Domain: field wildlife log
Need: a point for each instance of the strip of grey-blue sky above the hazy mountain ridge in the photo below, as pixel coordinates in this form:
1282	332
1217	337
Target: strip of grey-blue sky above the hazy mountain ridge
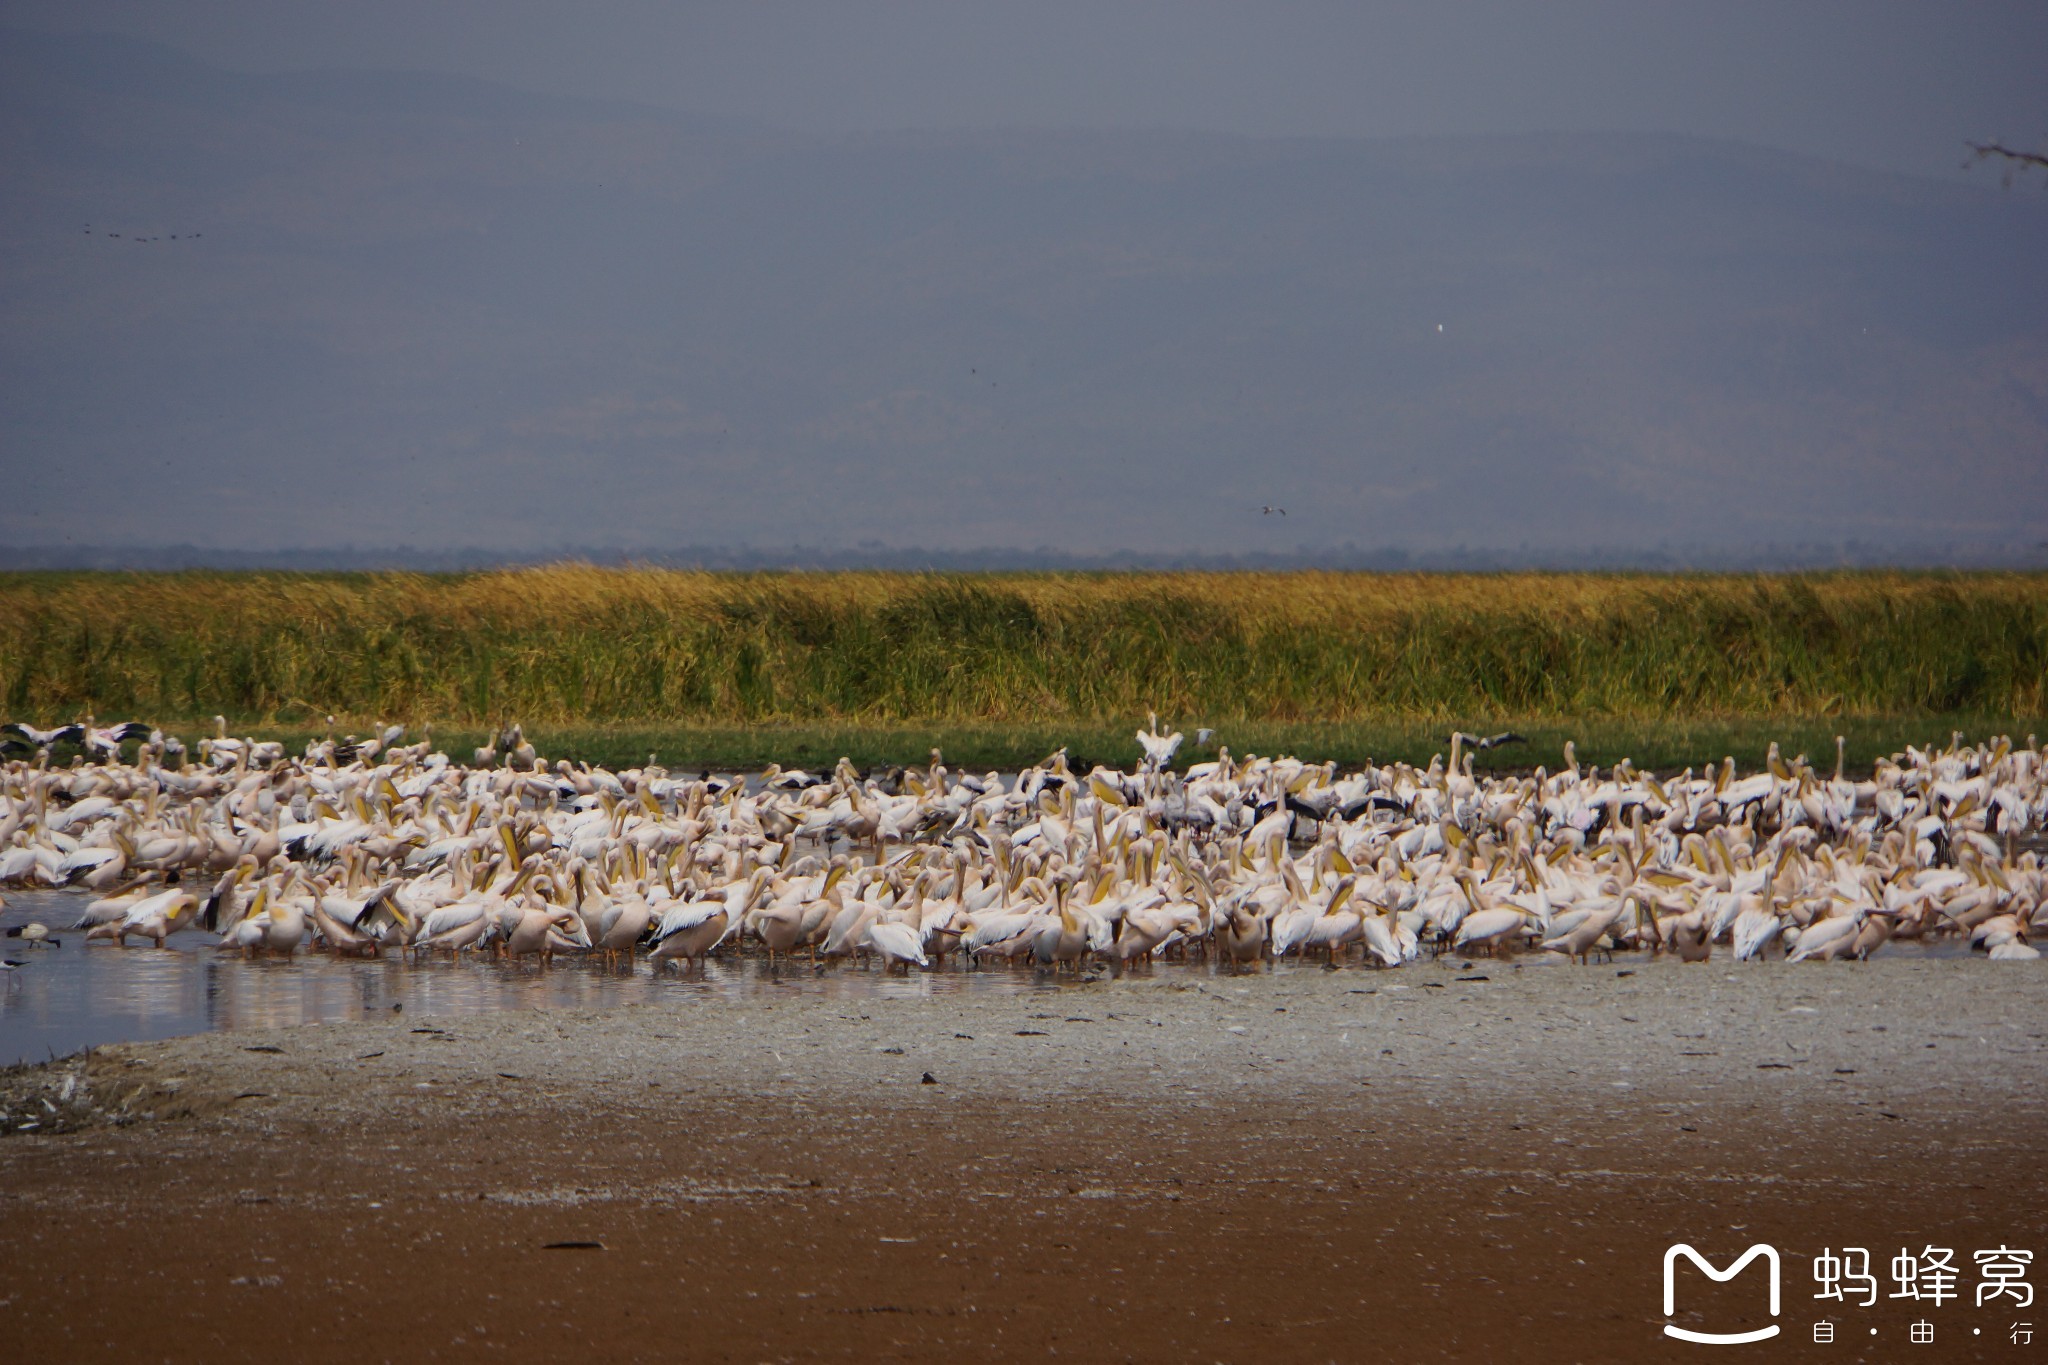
1879	83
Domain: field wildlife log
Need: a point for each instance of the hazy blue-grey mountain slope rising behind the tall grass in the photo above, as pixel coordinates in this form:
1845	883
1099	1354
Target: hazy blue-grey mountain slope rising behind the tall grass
355	308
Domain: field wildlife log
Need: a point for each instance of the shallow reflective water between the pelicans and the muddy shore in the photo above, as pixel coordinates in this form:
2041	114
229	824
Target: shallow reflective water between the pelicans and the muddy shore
81	998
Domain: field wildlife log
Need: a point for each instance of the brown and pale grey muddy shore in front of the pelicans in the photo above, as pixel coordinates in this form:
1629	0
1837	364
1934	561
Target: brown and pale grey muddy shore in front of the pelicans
1302	1165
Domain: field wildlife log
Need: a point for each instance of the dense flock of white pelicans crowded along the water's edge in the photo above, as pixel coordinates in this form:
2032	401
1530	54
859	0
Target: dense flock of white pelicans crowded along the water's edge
380	846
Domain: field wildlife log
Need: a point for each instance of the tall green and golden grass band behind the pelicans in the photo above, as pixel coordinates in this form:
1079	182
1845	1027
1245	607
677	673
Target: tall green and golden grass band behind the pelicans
1046	656
